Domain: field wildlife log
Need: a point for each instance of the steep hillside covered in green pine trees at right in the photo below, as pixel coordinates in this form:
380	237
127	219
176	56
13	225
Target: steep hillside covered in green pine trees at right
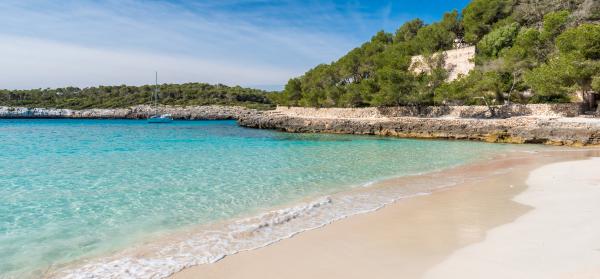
528	51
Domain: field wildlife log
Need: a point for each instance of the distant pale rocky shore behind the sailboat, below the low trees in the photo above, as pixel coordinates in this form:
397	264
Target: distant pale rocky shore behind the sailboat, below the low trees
136	112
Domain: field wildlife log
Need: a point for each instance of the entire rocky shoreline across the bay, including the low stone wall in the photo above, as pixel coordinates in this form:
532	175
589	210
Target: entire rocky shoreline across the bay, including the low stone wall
540	124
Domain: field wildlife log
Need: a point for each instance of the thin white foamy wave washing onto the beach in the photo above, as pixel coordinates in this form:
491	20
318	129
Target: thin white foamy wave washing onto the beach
209	244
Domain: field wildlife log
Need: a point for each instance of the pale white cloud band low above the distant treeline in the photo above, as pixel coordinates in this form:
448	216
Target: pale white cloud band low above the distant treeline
52	64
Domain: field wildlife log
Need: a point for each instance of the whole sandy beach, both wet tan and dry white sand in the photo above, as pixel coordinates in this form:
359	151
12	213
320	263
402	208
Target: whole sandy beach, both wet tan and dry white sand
534	216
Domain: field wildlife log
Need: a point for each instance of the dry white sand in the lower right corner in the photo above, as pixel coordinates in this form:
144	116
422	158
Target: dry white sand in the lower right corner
560	238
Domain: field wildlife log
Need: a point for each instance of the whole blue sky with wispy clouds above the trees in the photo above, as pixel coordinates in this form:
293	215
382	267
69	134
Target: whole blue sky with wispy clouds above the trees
254	43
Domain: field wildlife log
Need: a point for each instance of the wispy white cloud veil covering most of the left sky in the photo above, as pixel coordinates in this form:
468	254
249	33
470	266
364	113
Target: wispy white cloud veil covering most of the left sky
83	43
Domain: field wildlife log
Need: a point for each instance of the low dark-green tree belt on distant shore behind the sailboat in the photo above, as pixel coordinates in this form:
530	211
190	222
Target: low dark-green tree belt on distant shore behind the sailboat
188	94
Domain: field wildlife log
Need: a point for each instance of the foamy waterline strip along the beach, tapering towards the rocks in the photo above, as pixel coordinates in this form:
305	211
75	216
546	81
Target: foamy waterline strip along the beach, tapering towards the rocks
305	215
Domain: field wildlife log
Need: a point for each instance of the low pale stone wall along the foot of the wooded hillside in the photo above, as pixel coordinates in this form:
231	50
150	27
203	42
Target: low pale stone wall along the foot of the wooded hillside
538	110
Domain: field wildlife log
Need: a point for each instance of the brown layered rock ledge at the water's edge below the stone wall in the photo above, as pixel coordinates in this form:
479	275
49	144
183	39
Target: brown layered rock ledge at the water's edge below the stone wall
555	131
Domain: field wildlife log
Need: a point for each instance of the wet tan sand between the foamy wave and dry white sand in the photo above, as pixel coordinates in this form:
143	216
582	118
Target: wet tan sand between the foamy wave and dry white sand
417	229
